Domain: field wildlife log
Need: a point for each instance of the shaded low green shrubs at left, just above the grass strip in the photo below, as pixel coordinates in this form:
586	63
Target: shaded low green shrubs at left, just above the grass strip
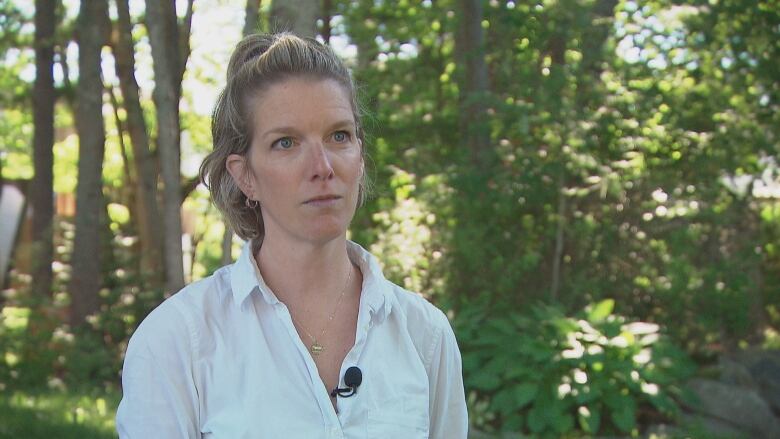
39	350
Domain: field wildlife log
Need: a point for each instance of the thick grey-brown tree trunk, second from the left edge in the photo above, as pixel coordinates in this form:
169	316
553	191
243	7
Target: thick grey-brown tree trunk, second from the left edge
86	259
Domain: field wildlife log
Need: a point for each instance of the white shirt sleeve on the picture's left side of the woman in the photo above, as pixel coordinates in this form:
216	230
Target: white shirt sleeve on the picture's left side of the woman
159	397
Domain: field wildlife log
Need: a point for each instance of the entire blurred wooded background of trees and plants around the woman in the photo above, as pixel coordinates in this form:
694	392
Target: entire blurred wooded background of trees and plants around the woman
589	188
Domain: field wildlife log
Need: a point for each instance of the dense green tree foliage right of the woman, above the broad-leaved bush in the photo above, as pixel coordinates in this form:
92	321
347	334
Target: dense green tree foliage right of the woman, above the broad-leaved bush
633	145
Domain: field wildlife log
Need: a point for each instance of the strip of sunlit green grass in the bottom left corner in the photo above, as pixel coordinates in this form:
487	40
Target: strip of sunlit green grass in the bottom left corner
58	414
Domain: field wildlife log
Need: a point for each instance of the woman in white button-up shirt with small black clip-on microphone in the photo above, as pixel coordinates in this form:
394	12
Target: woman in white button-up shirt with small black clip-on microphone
261	348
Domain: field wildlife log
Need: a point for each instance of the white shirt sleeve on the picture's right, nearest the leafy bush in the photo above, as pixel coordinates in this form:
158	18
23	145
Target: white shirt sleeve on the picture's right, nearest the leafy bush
449	417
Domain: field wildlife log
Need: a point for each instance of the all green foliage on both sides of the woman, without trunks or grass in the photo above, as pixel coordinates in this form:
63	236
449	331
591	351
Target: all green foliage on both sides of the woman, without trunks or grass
634	149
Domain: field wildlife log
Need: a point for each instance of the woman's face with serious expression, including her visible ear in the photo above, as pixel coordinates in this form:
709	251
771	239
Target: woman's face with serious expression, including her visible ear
305	163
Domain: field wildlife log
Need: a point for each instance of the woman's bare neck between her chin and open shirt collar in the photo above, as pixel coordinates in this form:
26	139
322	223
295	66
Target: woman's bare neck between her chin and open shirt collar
303	272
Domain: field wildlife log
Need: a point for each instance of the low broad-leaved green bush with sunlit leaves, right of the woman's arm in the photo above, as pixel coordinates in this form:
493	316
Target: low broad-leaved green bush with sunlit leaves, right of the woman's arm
545	373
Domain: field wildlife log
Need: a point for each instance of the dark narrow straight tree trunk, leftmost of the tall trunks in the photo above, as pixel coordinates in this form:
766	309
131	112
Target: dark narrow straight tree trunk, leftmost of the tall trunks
42	190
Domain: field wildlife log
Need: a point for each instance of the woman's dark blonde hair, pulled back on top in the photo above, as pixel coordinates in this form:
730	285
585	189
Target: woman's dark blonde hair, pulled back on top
258	62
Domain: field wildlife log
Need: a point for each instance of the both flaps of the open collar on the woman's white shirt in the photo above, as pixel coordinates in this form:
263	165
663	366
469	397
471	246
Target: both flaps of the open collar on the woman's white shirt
245	278
